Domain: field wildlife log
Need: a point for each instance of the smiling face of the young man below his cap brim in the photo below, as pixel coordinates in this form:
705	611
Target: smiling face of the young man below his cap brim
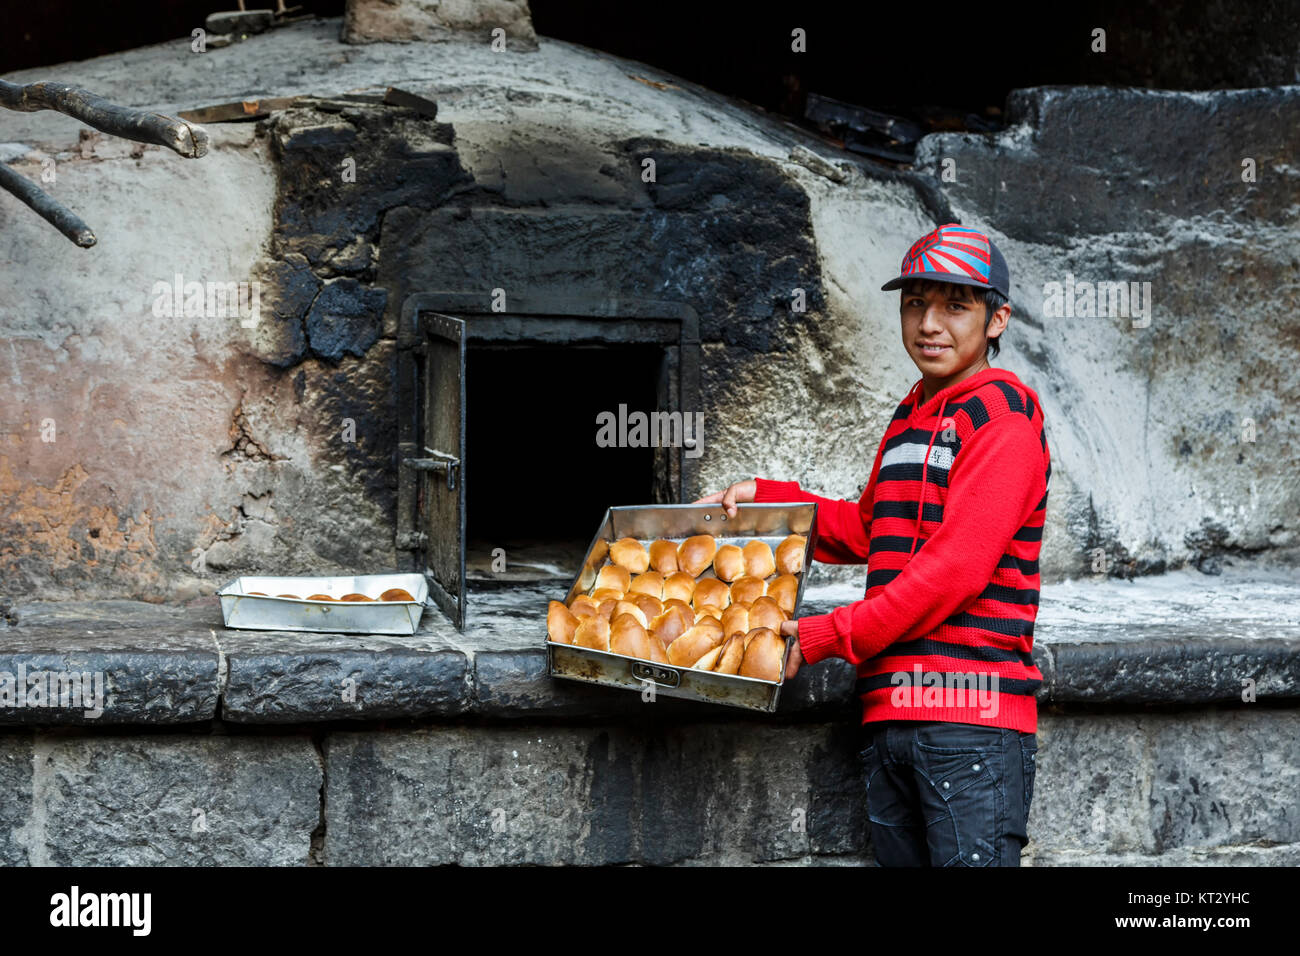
943	330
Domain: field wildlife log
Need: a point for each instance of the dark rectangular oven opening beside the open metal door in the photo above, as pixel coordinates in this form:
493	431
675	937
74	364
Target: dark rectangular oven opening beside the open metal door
536	482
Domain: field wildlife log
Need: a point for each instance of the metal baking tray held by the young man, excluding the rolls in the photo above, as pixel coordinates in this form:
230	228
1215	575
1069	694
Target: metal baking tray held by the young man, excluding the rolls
772	522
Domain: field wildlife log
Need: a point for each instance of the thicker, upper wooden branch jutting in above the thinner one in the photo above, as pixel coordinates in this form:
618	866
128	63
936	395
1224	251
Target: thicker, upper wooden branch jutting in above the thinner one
138	126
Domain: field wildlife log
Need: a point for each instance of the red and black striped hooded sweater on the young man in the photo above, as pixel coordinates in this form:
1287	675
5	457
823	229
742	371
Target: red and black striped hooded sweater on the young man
947	625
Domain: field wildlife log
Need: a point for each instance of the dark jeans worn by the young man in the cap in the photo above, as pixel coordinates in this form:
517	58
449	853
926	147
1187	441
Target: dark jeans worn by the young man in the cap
947	794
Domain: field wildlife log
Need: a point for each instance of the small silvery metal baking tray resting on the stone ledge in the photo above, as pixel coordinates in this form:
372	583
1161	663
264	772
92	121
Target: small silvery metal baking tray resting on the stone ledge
257	613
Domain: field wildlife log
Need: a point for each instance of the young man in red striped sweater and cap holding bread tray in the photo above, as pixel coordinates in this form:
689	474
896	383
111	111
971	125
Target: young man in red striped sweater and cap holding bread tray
950	526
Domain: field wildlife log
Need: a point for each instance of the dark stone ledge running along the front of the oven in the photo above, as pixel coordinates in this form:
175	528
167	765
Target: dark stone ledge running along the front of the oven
167	665
